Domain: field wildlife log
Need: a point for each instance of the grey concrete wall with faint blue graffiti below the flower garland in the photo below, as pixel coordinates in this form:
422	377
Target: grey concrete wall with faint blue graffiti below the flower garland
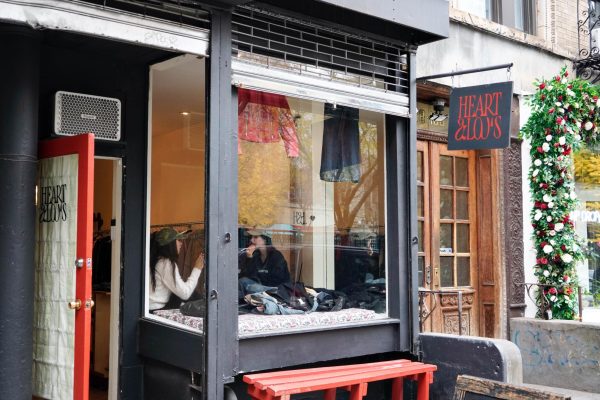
559	353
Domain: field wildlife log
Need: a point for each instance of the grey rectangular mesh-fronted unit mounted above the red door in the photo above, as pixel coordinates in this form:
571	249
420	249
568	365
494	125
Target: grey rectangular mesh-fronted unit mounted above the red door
77	113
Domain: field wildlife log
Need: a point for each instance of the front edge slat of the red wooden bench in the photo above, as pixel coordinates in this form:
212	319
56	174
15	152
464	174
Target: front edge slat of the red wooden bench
316	383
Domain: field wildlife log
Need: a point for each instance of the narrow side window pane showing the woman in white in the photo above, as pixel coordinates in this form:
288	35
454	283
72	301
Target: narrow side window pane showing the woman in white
176	189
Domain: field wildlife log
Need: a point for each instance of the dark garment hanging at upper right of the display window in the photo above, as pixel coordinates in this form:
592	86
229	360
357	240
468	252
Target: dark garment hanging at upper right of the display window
340	157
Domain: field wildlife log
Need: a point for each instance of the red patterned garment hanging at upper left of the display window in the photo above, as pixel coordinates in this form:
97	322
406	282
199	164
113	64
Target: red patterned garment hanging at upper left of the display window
266	118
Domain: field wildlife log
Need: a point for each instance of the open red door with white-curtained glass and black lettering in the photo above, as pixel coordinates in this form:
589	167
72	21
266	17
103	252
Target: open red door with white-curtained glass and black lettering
63	294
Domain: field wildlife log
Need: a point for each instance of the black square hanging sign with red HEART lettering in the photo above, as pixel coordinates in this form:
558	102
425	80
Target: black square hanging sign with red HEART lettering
480	117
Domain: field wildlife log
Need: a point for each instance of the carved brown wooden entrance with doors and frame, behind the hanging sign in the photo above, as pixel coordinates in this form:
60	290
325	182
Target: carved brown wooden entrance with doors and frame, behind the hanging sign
459	225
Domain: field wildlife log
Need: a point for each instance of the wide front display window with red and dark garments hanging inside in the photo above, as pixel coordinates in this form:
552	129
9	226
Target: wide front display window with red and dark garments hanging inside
311	201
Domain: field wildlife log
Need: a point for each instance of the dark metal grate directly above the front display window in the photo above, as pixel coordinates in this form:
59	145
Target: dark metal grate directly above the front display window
265	38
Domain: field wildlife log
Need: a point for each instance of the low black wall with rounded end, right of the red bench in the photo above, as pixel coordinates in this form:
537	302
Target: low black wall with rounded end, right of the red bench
496	359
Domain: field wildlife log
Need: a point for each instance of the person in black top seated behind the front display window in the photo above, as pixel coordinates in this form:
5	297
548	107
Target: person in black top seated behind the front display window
261	262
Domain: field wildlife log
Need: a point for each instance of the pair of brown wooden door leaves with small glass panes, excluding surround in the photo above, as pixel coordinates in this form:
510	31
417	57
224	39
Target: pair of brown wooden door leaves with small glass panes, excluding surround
446	215
